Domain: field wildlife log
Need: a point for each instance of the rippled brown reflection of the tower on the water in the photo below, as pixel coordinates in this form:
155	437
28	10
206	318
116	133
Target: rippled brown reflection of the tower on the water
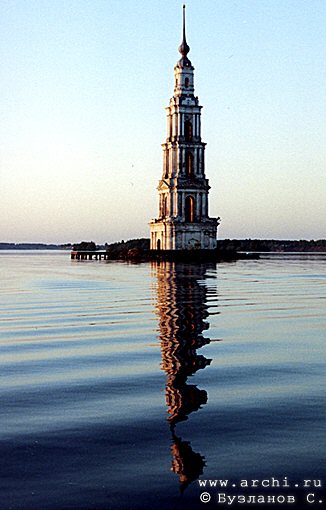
182	311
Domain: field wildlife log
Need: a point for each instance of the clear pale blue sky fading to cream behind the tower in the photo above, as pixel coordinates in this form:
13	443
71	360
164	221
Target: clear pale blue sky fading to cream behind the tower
83	88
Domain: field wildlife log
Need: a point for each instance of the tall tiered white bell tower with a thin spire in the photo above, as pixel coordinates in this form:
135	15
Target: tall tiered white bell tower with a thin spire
183	222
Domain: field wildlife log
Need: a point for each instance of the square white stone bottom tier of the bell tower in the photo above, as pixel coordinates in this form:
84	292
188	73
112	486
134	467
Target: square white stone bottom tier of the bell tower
166	235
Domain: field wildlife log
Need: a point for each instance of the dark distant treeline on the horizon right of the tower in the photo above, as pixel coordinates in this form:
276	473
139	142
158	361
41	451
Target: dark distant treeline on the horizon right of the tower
271	245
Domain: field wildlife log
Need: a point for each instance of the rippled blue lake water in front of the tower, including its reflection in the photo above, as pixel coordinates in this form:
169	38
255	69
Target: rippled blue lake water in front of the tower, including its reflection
121	385
